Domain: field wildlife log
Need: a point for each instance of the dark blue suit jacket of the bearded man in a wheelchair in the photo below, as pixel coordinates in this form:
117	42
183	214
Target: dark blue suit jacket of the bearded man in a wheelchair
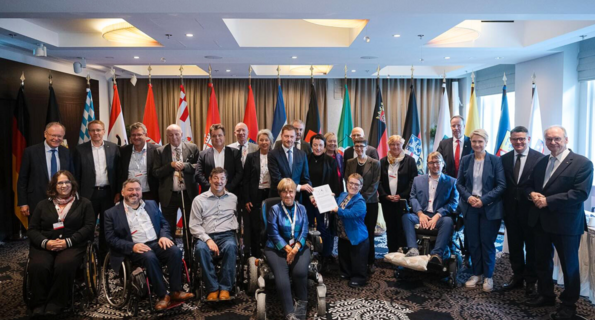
118	234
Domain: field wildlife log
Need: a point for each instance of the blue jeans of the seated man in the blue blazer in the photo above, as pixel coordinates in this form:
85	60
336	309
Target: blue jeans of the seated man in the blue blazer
444	226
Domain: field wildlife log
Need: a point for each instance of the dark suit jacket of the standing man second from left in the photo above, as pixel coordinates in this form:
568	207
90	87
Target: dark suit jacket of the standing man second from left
84	167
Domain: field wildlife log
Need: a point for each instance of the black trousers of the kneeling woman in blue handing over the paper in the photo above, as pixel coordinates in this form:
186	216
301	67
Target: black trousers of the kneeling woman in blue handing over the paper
352	260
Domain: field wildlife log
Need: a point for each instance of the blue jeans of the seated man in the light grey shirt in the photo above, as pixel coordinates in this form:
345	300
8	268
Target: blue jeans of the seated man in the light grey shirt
228	251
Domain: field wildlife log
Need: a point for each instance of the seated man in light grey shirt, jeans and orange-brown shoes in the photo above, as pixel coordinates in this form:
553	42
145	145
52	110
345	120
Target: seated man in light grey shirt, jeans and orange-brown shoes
214	223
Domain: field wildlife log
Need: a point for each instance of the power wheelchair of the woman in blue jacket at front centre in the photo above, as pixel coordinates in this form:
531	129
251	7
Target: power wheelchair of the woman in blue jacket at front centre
260	274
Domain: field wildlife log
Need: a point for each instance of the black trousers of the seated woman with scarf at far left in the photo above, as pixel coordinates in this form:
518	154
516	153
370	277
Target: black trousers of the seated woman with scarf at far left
51	275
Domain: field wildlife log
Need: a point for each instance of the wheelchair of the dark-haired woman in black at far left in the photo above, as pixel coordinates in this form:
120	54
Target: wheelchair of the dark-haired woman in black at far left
85	287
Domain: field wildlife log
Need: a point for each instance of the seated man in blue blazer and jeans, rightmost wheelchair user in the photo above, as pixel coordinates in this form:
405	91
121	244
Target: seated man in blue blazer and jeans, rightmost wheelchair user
433	198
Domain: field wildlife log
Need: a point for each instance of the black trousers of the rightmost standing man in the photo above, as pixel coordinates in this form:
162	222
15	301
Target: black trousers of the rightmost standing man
567	247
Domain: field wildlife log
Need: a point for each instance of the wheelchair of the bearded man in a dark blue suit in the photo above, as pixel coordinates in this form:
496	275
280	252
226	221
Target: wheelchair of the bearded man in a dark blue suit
127	288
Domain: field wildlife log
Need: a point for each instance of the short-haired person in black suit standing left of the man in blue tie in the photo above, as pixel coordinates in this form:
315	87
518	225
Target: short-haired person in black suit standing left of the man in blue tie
257	185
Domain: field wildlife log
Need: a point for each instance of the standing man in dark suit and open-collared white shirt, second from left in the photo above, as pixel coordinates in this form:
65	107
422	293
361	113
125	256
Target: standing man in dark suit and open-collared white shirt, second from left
96	166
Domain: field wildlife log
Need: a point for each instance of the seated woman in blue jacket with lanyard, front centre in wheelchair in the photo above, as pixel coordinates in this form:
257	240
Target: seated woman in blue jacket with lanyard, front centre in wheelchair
287	229
